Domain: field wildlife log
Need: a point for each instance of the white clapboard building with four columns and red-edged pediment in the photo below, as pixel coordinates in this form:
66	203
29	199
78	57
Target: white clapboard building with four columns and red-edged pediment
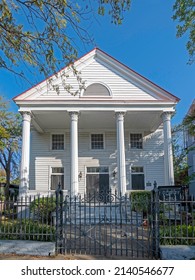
115	133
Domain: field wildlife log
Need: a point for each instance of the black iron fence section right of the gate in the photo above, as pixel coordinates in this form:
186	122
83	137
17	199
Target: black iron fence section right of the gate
176	217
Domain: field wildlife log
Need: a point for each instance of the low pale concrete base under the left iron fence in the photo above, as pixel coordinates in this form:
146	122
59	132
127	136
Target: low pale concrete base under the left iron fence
26	247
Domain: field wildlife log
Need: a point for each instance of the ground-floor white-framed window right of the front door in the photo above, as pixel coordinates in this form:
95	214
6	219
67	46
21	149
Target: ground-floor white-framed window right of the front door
137	178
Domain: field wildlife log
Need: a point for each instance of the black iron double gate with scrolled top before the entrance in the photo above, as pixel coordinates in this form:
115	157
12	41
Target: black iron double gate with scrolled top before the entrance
102	223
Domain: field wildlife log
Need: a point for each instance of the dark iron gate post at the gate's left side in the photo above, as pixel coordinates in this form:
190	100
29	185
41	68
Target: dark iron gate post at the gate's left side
59	220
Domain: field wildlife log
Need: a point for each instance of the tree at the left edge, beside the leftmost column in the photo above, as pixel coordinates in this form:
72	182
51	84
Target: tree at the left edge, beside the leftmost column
10	142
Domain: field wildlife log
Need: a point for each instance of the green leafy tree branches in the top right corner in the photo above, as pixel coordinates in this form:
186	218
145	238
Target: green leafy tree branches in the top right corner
184	13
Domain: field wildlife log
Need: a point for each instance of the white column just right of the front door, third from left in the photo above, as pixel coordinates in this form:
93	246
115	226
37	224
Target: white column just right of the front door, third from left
121	167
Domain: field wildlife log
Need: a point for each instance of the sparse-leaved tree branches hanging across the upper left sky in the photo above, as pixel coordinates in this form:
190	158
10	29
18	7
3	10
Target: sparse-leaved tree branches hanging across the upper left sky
44	34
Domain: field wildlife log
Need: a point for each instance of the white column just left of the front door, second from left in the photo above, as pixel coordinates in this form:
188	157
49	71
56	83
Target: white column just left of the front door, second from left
74	153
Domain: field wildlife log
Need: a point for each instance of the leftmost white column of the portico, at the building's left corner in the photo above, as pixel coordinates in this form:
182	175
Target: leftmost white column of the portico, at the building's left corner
25	157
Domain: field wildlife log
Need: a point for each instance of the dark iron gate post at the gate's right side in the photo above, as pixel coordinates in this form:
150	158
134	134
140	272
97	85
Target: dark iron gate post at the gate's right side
155	222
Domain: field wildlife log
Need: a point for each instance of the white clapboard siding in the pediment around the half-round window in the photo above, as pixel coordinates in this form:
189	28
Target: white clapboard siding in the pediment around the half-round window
120	87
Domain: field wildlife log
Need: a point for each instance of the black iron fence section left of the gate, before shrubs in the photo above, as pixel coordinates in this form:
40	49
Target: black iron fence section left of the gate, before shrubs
27	218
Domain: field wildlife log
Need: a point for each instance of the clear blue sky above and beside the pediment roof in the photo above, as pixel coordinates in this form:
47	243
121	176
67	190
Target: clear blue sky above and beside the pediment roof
145	42
